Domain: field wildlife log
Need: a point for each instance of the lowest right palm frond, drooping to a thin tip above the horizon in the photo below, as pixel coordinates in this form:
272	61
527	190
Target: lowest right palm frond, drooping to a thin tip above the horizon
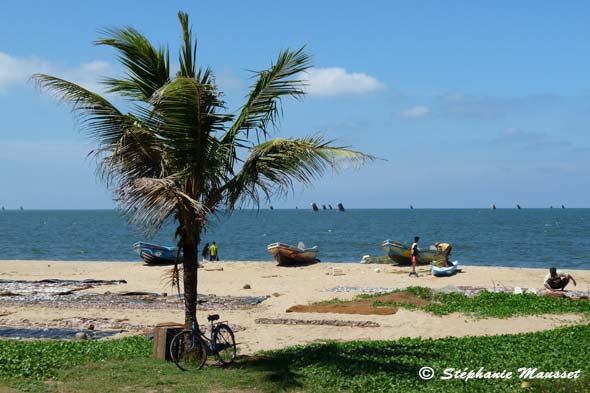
274	166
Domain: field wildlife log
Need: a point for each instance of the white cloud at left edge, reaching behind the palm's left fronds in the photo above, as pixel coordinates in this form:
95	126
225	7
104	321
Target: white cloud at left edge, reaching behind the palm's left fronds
16	71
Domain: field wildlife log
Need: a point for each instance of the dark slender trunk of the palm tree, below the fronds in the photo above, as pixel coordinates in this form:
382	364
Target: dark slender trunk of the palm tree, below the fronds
190	274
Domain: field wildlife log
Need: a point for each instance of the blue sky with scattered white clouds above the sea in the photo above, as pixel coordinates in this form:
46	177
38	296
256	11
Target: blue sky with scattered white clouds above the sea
468	103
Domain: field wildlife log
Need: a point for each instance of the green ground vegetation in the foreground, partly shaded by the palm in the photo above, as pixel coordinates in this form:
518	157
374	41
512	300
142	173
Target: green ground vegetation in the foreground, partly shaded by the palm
382	366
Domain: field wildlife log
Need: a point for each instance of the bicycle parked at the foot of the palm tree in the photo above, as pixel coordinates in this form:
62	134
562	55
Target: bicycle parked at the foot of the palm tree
189	348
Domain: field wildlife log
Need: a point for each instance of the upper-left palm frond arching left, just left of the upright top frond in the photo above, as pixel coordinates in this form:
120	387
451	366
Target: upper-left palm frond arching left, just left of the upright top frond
148	68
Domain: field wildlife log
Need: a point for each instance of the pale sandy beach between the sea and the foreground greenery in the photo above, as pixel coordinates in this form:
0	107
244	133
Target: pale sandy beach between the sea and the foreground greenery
283	287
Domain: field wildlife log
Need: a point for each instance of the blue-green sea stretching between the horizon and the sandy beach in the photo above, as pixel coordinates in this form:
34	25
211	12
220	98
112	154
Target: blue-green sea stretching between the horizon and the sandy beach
503	237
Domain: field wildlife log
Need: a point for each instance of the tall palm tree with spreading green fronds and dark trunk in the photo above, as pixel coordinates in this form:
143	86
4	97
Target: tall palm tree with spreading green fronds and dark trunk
177	153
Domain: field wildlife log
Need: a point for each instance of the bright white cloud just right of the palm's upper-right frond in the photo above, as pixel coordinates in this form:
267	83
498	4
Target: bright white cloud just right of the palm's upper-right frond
336	81
